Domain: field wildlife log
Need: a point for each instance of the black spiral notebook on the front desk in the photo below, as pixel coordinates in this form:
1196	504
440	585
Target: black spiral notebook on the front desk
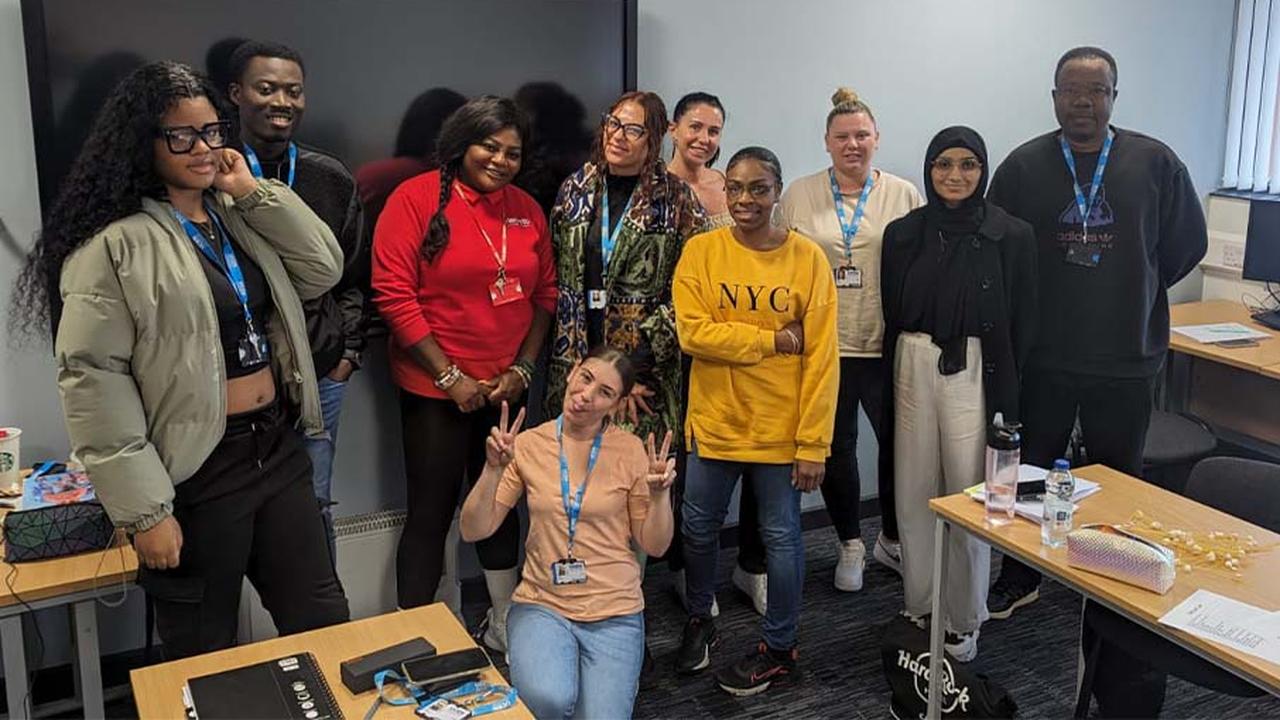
286	687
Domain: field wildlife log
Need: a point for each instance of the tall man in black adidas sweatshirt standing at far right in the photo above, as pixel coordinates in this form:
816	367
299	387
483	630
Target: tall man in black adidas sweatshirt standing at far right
1118	222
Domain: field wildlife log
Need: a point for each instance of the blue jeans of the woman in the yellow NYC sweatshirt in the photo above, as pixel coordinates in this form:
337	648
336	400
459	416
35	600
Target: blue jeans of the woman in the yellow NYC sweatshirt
708	489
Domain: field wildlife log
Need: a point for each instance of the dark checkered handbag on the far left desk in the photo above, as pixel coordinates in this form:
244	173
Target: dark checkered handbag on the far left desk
56	531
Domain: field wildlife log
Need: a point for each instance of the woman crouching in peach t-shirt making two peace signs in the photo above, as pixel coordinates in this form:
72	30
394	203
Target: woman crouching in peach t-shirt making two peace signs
577	621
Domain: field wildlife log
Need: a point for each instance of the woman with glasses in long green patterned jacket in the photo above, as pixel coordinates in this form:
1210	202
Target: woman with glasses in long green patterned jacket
618	230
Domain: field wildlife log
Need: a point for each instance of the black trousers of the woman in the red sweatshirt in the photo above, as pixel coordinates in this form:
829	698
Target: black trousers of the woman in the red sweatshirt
444	448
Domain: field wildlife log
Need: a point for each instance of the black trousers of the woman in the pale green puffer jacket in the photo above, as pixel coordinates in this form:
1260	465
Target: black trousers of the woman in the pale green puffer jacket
249	512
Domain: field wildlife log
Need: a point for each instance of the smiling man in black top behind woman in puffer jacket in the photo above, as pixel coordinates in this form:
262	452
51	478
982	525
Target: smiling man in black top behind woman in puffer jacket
267	86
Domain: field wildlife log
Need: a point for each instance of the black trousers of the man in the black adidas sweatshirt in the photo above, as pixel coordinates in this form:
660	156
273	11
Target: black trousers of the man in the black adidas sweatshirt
1114	418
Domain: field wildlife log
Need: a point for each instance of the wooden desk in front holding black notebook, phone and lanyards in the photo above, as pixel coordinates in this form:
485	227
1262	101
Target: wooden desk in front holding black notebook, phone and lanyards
158	690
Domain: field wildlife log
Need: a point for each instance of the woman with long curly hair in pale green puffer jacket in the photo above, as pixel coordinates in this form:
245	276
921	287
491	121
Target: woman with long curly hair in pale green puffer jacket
173	282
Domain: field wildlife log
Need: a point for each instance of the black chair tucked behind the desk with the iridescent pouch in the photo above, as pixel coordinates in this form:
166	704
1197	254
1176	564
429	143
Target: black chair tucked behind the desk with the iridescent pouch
1246	489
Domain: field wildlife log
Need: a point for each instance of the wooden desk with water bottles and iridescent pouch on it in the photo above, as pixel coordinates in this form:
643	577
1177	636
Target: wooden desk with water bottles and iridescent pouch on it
1119	498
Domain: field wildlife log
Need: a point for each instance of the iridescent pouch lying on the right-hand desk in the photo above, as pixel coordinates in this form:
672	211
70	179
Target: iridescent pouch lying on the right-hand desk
1123	557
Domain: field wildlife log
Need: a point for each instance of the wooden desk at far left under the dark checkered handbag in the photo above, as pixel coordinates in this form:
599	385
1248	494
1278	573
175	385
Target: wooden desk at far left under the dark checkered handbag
77	582
